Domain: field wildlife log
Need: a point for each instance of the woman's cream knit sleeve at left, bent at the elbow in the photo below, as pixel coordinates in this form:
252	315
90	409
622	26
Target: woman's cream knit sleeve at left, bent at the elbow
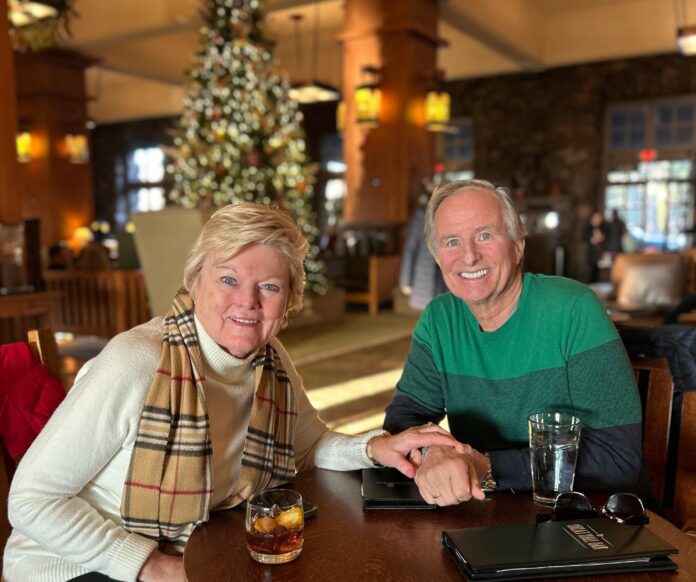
92	424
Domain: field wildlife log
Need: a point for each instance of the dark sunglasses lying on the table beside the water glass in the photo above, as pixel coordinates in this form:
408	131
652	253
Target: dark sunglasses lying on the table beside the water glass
625	508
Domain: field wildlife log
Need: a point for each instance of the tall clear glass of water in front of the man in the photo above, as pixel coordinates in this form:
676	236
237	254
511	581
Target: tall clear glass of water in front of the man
553	439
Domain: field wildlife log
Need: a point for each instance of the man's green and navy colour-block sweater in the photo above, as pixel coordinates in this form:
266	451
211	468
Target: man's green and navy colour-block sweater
557	352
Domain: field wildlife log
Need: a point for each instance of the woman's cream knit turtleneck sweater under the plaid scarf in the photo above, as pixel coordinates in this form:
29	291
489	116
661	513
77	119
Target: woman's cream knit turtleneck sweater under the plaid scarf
65	498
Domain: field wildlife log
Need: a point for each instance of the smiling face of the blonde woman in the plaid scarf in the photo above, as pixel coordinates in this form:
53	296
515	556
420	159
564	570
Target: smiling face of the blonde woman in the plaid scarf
241	302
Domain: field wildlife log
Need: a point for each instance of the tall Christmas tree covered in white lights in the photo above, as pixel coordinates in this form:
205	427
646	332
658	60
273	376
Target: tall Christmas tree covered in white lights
240	137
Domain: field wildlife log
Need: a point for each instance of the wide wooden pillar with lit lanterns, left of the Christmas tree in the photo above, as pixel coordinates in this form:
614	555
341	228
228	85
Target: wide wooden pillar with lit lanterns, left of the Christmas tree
52	103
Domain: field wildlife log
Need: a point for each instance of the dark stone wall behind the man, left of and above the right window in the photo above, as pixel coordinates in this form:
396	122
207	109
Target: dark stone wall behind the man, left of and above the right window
541	134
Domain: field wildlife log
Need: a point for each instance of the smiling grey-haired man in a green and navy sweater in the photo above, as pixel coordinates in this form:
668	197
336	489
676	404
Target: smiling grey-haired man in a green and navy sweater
503	345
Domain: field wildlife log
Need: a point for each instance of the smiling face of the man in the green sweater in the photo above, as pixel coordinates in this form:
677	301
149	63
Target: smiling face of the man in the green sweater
479	260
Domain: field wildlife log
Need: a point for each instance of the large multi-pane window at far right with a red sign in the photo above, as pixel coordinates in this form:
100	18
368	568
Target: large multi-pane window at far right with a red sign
649	170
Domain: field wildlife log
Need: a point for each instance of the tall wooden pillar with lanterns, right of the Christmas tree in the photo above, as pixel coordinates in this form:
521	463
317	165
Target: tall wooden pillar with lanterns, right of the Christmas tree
385	165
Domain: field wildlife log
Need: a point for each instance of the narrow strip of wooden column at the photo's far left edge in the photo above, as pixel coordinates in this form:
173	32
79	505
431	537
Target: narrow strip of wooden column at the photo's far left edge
10	204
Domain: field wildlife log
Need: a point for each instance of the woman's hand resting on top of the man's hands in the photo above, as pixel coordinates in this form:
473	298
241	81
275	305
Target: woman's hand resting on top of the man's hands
400	450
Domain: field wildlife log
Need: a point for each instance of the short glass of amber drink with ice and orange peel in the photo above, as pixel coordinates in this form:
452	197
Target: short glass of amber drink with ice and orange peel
275	526
